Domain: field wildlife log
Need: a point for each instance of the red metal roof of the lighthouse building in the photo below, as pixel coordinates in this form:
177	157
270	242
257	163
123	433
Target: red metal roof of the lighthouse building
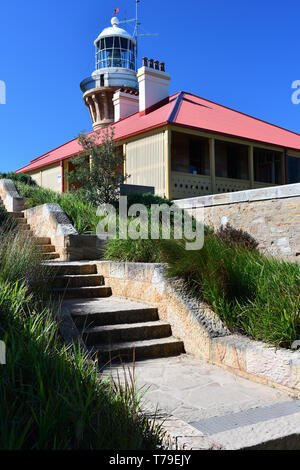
187	110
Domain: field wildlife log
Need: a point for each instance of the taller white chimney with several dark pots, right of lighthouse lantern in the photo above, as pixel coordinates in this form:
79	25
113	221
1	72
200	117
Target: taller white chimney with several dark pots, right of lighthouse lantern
154	83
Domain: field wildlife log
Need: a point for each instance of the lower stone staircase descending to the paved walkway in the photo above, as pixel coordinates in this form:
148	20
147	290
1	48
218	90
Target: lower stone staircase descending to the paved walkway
112	328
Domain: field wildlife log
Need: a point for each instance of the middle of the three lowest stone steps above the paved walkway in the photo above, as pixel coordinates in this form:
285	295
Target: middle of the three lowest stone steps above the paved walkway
126	332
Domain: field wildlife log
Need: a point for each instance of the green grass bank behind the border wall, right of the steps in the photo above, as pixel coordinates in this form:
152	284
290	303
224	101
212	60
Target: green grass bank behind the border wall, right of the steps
253	294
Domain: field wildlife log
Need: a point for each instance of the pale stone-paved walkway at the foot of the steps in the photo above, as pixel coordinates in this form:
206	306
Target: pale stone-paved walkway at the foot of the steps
228	410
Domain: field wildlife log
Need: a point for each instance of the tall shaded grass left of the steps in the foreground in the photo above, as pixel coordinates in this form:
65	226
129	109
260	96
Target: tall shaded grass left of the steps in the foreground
50	398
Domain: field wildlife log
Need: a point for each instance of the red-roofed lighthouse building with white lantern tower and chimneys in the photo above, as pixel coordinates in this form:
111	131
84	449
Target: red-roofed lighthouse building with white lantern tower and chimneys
182	145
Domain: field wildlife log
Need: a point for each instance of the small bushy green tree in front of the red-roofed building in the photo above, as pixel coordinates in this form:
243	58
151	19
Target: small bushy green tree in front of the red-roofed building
98	171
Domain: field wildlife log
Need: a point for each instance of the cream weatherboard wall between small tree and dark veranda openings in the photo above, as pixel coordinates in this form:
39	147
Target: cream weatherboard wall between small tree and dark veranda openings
146	162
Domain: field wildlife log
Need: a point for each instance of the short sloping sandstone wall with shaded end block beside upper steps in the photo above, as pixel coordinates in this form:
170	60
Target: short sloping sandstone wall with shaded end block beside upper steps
49	220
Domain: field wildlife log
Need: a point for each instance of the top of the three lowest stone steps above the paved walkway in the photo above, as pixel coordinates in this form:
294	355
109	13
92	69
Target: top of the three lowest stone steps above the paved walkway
114	317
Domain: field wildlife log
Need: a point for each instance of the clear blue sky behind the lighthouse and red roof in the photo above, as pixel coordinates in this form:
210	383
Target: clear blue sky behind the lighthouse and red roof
243	54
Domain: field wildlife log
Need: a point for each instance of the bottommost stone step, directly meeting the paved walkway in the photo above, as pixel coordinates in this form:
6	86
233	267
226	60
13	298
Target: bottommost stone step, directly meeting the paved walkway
163	347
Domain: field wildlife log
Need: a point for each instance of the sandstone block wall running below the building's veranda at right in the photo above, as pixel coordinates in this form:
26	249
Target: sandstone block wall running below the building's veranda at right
271	215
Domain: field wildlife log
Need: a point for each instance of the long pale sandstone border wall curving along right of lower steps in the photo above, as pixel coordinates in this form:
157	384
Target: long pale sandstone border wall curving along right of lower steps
203	333
